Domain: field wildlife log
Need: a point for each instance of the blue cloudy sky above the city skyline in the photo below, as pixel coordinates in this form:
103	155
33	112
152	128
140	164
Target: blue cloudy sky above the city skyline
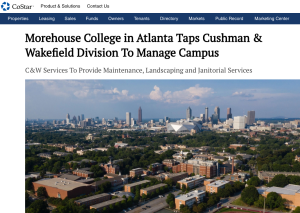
53	99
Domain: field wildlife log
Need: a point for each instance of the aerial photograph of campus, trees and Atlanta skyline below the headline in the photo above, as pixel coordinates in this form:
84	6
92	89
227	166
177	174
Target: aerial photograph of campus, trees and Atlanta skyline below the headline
162	146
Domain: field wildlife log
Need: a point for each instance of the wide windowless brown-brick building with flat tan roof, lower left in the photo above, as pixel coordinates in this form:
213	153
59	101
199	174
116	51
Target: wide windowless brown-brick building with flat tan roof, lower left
62	188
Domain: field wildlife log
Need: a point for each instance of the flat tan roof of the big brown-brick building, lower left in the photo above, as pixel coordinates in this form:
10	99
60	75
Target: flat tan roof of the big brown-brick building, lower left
60	183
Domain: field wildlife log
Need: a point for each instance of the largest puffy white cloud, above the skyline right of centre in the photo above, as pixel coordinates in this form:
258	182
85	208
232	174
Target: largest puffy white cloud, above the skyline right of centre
192	95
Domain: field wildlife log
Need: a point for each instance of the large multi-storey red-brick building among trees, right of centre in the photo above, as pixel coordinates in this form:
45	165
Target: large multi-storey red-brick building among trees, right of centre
198	167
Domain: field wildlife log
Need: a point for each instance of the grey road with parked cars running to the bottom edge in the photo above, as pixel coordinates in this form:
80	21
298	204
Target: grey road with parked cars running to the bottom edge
156	204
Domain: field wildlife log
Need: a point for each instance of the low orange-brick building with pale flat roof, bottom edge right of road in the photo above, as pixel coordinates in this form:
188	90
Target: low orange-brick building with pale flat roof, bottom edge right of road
189	199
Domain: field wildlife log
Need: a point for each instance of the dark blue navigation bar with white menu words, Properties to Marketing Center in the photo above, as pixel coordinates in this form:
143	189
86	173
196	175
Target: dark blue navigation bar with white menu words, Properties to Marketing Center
150	18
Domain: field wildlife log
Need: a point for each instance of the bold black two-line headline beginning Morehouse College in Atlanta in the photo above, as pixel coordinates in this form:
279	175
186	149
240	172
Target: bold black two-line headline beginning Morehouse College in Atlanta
128	52
